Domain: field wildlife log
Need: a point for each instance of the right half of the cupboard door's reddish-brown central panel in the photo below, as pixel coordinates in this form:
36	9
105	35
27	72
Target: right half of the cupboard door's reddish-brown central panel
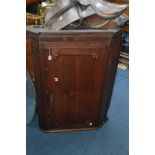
90	82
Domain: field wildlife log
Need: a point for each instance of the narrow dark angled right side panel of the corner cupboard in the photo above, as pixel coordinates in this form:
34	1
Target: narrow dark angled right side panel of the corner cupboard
113	62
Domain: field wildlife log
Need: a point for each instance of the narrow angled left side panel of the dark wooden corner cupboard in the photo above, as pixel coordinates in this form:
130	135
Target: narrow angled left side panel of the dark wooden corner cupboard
39	81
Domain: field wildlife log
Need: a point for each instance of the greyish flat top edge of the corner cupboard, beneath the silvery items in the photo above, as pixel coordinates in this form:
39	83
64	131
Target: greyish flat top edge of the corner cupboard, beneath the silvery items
46	31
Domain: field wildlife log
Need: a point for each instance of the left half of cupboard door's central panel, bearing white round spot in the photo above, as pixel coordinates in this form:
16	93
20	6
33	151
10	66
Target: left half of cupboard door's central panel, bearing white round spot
60	83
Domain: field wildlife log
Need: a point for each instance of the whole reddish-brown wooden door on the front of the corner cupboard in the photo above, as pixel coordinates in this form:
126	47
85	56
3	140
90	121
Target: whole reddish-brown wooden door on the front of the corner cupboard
75	83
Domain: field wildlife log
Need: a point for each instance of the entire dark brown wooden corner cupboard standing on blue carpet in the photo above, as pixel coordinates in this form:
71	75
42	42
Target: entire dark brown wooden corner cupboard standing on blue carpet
74	72
